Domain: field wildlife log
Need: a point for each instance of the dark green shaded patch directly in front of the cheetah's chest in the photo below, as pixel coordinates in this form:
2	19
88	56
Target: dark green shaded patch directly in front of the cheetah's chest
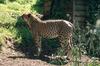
26	46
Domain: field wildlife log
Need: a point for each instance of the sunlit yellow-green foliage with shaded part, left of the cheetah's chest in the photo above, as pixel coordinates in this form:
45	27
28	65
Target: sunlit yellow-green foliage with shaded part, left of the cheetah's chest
11	22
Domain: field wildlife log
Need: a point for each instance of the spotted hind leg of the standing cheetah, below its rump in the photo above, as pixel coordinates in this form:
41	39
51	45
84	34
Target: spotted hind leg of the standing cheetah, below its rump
66	46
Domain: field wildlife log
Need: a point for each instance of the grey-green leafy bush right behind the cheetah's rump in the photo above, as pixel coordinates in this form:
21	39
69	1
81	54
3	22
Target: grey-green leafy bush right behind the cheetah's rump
87	39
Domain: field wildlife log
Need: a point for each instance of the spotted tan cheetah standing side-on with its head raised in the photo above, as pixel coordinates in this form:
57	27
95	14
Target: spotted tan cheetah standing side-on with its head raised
50	29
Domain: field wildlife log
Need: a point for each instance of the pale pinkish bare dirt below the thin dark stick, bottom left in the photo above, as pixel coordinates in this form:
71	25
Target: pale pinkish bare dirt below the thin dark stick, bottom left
6	61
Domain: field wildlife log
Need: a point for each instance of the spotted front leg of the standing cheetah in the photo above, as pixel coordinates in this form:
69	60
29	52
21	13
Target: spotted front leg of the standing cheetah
37	40
